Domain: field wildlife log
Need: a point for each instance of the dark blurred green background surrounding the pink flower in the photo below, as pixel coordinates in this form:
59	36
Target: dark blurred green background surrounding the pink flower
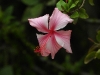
18	40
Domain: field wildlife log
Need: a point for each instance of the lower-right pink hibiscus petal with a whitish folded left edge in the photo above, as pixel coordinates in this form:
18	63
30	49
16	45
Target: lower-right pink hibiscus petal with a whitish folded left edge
63	39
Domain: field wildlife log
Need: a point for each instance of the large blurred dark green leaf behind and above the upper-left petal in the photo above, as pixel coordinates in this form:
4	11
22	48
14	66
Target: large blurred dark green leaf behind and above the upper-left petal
32	12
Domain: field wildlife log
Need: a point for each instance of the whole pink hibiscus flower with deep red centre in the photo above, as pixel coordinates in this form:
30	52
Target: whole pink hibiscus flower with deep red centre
53	40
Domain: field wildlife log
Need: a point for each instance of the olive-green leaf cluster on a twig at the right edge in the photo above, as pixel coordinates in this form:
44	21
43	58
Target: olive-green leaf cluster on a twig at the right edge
94	51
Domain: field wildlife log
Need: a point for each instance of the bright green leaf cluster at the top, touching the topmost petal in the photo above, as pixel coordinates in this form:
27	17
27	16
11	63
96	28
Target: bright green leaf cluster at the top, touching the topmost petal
72	7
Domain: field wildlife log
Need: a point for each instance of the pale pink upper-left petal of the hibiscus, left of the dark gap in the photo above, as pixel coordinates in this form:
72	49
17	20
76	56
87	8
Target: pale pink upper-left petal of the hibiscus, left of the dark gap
41	23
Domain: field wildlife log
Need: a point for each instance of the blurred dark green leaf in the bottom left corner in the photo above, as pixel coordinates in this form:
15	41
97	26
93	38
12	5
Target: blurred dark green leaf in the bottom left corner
7	70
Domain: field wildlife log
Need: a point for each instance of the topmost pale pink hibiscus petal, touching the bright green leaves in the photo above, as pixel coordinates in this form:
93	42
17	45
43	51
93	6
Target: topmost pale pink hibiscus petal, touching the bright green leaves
58	20
